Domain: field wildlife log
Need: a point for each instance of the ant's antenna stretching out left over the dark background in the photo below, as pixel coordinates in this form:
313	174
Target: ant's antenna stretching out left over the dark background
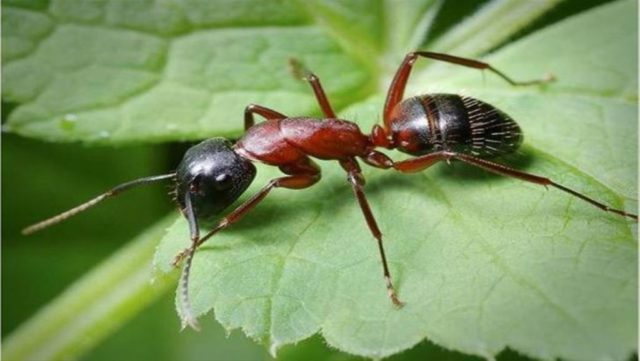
84	206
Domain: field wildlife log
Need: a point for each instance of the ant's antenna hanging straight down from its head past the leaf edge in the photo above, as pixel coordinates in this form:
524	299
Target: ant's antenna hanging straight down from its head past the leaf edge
186	313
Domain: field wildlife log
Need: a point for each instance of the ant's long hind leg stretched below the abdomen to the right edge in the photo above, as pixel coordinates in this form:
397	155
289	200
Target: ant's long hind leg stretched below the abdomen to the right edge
422	162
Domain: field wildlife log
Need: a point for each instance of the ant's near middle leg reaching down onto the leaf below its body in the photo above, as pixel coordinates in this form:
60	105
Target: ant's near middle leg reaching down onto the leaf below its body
356	179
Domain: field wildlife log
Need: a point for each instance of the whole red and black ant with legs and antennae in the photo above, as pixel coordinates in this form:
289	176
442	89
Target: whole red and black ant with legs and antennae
431	127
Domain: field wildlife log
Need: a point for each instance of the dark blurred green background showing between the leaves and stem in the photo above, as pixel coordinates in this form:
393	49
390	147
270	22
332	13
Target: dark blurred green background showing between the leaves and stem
40	179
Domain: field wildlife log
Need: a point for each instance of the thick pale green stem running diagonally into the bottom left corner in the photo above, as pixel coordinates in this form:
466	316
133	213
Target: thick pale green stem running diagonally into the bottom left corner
96	305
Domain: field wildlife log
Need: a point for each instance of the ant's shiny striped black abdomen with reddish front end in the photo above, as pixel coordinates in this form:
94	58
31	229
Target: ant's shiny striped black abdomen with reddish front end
436	122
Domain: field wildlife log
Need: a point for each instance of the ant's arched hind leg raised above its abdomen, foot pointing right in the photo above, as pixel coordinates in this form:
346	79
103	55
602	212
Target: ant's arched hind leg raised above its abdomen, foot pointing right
399	82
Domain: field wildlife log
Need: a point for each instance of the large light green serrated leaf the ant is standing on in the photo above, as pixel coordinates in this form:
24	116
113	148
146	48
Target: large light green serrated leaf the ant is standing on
482	262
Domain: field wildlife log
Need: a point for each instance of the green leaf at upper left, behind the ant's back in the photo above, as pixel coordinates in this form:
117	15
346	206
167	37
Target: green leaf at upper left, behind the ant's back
181	71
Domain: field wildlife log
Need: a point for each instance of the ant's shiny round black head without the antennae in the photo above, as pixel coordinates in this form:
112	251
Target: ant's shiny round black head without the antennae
214	175
